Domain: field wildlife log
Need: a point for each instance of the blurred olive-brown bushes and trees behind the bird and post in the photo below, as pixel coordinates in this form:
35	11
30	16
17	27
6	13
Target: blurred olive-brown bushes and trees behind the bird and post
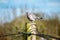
50	26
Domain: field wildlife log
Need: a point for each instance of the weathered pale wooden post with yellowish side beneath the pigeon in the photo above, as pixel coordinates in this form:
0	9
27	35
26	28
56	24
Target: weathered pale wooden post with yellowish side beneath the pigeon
32	29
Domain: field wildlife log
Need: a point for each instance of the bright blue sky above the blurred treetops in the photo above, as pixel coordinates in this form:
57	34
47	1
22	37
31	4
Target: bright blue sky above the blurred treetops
46	6
